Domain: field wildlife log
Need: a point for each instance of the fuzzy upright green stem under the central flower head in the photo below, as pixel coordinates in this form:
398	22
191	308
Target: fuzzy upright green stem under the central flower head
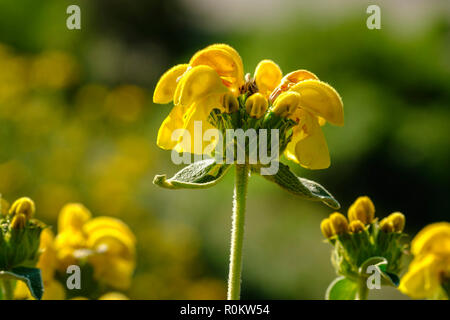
237	232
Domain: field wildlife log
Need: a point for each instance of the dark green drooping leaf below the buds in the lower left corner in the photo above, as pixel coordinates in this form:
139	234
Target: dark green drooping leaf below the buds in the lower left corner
31	276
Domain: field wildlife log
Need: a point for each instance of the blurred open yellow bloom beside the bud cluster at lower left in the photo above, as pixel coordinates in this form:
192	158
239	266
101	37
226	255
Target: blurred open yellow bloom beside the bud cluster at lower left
105	243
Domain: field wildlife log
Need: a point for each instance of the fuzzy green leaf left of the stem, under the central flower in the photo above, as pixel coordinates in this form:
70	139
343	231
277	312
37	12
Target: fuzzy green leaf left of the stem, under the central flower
201	174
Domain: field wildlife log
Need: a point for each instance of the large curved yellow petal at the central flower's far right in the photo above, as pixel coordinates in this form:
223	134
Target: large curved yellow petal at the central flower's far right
321	100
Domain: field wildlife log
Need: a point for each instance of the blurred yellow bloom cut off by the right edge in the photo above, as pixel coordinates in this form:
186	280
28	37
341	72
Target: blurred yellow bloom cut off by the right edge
430	268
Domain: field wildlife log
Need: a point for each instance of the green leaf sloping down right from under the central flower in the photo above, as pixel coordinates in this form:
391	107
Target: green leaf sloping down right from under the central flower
301	187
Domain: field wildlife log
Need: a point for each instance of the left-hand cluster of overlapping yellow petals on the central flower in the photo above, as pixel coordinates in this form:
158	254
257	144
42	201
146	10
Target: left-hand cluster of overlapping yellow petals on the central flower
196	89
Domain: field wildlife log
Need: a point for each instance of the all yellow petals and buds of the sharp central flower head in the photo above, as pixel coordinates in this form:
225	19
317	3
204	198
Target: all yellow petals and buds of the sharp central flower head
199	87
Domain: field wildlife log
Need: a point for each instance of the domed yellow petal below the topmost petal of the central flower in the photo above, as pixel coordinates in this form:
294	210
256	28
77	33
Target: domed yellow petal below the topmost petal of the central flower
198	83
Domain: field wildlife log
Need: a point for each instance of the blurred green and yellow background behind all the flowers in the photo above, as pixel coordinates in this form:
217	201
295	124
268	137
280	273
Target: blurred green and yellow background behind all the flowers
77	124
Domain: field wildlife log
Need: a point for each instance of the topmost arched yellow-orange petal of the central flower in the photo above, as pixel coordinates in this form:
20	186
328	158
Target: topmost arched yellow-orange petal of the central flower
225	61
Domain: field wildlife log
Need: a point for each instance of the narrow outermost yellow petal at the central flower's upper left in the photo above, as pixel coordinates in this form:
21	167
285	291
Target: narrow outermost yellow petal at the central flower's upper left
165	88
